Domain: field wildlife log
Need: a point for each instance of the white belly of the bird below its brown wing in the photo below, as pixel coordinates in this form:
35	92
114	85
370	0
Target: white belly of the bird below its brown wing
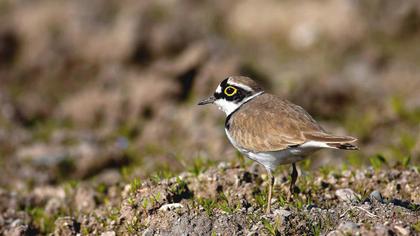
271	160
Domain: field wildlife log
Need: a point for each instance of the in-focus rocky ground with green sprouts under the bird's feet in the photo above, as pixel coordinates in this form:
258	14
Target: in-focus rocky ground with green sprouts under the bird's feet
227	199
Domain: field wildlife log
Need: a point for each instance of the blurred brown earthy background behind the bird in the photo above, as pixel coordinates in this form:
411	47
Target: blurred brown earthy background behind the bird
107	89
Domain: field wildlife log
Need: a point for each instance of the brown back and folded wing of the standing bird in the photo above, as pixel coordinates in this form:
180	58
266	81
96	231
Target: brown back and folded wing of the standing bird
269	123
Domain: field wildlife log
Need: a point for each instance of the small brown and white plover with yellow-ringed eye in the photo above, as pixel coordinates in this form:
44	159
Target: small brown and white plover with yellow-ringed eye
269	129
